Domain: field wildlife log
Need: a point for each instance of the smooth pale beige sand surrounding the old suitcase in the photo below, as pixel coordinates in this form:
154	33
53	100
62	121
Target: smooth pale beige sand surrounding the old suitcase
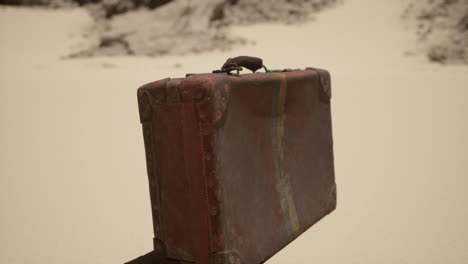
72	175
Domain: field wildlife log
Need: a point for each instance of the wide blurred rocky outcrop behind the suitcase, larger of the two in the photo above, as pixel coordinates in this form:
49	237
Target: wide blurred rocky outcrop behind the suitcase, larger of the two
158	27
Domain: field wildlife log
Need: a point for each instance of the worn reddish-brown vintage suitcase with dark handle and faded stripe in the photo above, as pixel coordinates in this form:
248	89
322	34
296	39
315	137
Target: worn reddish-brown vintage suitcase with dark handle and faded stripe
238	165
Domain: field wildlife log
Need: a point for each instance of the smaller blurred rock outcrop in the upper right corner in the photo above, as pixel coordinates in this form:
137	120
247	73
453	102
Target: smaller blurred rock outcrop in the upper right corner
442	28
